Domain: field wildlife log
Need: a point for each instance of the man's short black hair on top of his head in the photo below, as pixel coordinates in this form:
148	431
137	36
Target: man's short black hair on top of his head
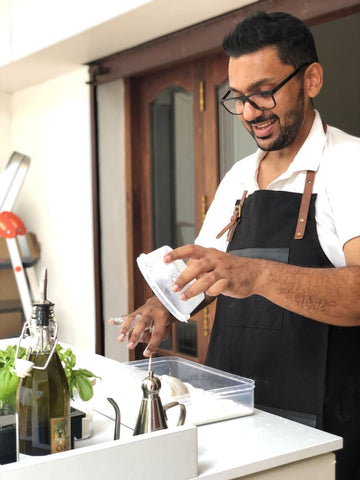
293	40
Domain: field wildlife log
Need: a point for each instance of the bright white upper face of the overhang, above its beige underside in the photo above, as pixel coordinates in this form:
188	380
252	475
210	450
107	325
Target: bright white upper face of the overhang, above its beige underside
27	26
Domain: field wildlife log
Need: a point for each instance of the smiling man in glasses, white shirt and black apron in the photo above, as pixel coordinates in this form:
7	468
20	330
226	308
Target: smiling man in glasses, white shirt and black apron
285	316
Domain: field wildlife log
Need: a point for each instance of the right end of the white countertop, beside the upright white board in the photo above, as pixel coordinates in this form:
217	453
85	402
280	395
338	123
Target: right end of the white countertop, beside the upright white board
246	445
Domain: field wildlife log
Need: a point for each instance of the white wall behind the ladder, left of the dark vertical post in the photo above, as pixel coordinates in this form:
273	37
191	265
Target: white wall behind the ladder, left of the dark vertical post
50	123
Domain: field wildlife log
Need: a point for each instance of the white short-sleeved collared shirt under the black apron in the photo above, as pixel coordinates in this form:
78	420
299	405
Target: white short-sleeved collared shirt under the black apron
335	156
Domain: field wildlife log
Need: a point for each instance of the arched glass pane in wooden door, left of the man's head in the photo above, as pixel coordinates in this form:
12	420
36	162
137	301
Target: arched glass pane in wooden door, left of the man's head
172	159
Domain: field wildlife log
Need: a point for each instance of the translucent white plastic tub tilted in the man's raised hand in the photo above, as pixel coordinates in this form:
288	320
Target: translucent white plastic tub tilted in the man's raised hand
160	276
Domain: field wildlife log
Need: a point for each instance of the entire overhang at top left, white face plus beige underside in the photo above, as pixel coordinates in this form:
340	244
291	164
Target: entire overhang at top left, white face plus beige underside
42	39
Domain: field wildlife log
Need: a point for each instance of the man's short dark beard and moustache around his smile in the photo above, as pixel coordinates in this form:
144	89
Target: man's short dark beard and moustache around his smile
289	128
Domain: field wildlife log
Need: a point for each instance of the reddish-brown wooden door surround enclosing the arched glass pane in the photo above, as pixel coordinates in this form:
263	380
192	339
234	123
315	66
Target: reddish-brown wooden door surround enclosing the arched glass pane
209	72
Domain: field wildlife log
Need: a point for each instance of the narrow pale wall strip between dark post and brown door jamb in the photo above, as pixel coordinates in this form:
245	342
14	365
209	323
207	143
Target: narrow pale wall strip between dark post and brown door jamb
113	211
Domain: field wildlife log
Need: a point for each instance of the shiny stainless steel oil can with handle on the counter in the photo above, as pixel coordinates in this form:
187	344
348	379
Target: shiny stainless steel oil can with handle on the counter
152	414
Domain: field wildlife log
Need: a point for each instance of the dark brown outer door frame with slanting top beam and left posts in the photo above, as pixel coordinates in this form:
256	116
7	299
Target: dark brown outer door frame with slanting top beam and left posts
194	41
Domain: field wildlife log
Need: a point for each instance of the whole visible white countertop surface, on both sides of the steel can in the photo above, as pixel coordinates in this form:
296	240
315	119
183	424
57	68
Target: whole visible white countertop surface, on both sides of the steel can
227	449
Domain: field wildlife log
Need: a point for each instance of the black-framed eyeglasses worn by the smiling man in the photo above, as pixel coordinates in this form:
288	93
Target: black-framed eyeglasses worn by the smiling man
259	100
